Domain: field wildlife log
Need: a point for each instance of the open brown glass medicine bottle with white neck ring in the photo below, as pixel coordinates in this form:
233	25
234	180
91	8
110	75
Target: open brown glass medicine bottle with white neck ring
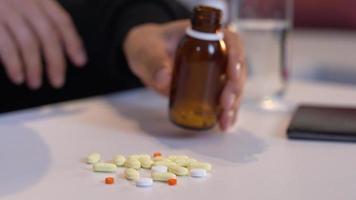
199	72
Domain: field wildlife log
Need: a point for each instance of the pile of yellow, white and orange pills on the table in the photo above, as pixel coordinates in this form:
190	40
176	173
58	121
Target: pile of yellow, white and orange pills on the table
163	169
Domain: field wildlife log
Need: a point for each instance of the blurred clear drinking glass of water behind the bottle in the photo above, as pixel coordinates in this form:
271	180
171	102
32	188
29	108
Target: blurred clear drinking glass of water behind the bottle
263	26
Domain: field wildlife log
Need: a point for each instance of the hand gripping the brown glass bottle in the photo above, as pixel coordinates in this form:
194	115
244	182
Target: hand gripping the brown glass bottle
150	51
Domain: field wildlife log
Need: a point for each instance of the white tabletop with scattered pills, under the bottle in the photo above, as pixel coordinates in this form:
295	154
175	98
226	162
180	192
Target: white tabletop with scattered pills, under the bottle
42	151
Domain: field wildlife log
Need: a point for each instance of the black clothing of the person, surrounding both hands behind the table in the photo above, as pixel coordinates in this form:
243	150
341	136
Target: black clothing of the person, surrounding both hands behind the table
102	25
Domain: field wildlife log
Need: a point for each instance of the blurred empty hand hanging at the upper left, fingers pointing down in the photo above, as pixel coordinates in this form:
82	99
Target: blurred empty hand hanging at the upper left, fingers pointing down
34	29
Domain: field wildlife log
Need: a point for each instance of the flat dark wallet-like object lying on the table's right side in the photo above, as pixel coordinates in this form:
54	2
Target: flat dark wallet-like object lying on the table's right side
323	123
